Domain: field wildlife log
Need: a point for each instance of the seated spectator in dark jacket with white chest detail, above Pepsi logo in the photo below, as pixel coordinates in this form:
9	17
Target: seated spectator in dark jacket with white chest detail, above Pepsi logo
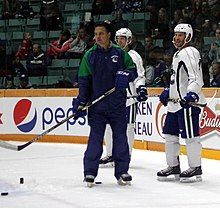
37	62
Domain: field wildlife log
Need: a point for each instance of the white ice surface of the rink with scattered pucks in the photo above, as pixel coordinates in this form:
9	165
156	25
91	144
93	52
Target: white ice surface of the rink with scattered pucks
53	175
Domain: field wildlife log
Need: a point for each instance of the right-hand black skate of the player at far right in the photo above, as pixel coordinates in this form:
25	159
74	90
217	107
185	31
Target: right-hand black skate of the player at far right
191	175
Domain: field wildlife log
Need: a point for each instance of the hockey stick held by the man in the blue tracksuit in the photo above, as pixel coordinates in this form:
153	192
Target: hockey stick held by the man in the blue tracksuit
21	147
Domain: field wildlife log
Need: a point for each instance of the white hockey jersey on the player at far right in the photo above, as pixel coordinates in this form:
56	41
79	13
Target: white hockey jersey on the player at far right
186	76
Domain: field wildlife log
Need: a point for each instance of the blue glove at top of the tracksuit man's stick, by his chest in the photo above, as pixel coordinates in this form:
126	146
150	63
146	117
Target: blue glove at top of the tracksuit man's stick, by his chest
122	79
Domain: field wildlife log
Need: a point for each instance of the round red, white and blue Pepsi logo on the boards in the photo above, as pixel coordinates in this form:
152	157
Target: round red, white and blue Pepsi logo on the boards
25	115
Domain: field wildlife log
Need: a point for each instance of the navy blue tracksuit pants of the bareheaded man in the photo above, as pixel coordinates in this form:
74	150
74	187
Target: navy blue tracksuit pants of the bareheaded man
93	153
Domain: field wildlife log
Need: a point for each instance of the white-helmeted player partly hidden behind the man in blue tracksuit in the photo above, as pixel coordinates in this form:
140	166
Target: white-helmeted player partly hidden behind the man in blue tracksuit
136	89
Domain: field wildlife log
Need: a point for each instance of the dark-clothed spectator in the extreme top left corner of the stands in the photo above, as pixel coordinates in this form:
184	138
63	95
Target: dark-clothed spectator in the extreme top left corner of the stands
10	9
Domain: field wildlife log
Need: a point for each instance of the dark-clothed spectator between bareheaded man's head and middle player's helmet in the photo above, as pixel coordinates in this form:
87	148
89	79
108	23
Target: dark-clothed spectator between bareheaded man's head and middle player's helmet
117	23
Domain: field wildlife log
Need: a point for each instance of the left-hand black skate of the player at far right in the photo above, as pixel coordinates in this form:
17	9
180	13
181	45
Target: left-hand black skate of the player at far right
168	173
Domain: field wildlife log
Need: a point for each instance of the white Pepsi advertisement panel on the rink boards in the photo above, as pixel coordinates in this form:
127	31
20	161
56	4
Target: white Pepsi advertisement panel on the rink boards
35	115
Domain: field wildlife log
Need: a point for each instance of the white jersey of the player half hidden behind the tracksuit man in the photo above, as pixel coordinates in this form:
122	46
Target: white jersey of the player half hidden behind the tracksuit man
140	80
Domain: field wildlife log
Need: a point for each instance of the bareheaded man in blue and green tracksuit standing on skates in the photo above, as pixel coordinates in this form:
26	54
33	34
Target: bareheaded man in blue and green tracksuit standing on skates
103	67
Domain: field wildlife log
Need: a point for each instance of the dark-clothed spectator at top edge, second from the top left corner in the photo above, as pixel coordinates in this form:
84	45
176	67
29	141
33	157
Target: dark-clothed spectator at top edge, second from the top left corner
26	11
